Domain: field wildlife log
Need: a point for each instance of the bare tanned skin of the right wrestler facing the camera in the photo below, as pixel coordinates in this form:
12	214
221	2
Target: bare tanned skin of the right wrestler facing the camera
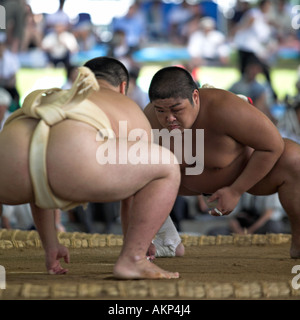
243	152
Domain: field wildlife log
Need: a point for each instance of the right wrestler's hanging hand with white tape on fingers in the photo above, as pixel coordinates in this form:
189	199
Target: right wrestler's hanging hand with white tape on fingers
227	200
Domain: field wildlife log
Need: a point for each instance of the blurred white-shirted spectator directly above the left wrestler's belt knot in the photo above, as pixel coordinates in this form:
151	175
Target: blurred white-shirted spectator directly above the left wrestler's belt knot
59	45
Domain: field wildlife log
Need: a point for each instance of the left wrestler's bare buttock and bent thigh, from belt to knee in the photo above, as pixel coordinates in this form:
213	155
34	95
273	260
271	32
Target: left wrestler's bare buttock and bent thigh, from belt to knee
83	171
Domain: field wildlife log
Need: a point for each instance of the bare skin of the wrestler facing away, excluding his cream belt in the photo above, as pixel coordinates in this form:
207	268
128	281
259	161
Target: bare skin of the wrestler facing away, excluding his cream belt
74	174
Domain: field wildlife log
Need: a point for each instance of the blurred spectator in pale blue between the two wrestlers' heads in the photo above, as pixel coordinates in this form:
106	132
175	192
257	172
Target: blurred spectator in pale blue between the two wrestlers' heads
134	91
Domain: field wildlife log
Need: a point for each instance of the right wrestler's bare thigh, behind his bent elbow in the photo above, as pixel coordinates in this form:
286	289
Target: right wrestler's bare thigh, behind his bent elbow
283	171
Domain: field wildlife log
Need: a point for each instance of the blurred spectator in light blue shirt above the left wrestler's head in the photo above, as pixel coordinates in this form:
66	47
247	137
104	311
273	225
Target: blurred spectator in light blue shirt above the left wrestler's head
133	24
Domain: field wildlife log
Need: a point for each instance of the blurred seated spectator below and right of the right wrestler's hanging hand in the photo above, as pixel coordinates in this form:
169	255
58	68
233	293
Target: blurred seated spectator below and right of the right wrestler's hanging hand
258	215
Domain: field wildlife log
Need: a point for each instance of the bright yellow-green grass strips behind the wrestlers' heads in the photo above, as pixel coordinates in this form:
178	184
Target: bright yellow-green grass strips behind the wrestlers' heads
284	79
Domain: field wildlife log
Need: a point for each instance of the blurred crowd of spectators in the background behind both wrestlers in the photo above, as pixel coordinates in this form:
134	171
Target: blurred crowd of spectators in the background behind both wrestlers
252	38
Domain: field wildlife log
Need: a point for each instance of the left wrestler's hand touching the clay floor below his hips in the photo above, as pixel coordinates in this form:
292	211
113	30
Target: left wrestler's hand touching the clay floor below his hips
52	259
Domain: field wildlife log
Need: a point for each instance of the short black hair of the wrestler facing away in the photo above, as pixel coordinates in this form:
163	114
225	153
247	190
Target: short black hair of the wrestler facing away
109	69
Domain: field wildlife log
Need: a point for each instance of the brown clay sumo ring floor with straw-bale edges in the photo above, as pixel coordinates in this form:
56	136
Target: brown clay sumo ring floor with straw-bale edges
222	267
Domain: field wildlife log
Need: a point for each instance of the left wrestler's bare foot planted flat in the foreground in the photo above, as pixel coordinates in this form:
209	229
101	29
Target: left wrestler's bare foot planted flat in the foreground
140	268
